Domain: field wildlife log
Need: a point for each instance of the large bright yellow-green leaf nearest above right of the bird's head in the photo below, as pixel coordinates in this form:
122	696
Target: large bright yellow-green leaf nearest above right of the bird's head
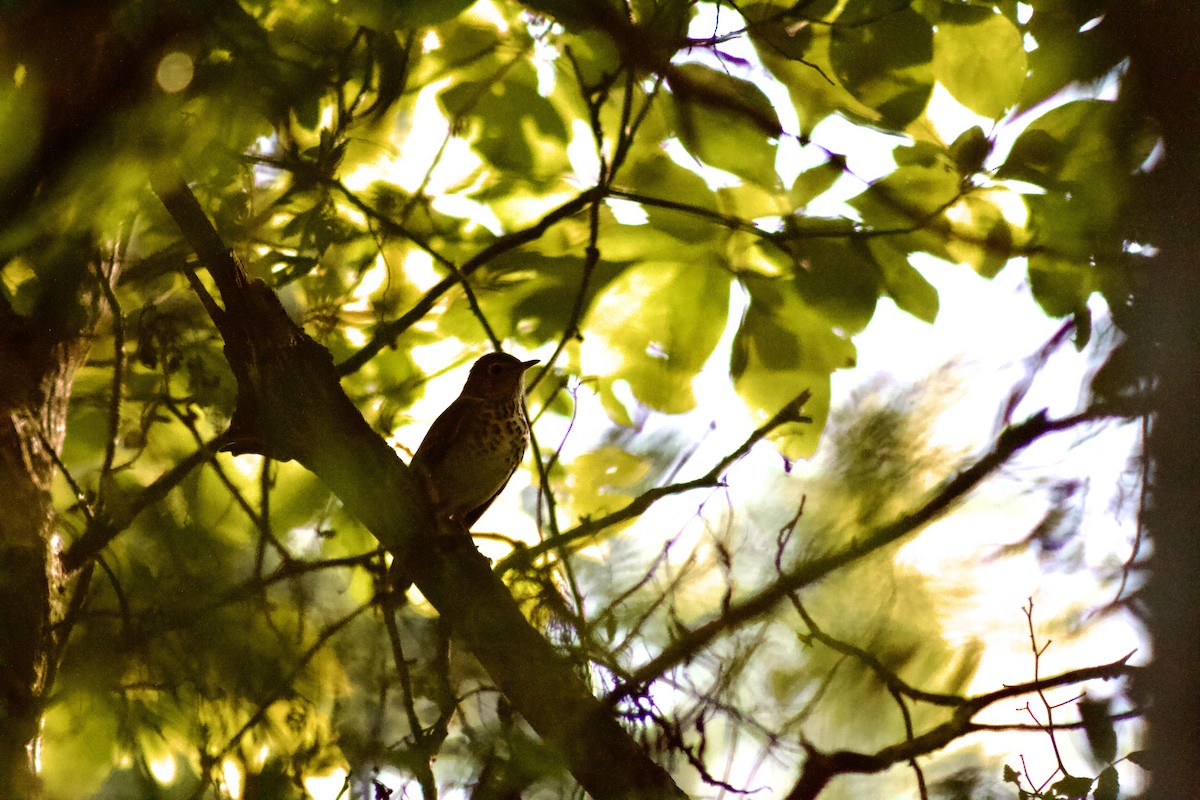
659	324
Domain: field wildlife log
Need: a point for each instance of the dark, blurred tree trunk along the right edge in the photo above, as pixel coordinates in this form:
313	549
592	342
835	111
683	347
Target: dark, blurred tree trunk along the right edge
1166	58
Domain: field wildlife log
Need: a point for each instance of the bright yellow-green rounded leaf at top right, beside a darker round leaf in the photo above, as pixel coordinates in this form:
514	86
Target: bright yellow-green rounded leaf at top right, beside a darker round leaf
980	58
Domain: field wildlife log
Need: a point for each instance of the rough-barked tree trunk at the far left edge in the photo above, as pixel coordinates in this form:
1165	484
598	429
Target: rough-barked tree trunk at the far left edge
40	354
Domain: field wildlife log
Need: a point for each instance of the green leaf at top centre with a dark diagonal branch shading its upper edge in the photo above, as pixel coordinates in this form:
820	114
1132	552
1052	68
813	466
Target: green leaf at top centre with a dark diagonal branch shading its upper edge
727	123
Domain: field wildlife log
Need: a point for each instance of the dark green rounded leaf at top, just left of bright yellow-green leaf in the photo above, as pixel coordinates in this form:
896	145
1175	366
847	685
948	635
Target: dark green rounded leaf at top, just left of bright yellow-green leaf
881	53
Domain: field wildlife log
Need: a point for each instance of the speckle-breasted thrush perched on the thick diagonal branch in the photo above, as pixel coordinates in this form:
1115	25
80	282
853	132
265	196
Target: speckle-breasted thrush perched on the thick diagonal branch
478	442
